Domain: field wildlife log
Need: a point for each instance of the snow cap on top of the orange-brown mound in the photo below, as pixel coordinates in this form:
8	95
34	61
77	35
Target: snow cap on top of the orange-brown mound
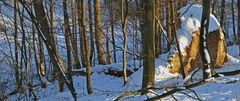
190	17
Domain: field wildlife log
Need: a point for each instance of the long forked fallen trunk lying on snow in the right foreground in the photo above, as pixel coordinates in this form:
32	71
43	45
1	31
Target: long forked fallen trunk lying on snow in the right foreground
175	89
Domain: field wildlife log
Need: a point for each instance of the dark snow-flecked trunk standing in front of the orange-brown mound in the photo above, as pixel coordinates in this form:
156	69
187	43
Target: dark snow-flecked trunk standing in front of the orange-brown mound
207	69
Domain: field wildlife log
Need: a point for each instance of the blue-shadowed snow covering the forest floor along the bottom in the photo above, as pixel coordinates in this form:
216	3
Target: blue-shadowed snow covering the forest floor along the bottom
106	87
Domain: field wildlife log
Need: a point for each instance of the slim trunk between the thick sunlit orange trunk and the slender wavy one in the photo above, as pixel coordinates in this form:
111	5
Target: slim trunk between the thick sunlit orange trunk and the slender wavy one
112	30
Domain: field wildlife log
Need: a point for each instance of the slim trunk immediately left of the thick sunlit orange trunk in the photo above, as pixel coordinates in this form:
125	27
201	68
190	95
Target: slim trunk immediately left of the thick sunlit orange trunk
91	30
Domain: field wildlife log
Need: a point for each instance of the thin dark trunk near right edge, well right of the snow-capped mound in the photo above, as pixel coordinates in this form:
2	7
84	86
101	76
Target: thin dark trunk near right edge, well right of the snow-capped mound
233	22
